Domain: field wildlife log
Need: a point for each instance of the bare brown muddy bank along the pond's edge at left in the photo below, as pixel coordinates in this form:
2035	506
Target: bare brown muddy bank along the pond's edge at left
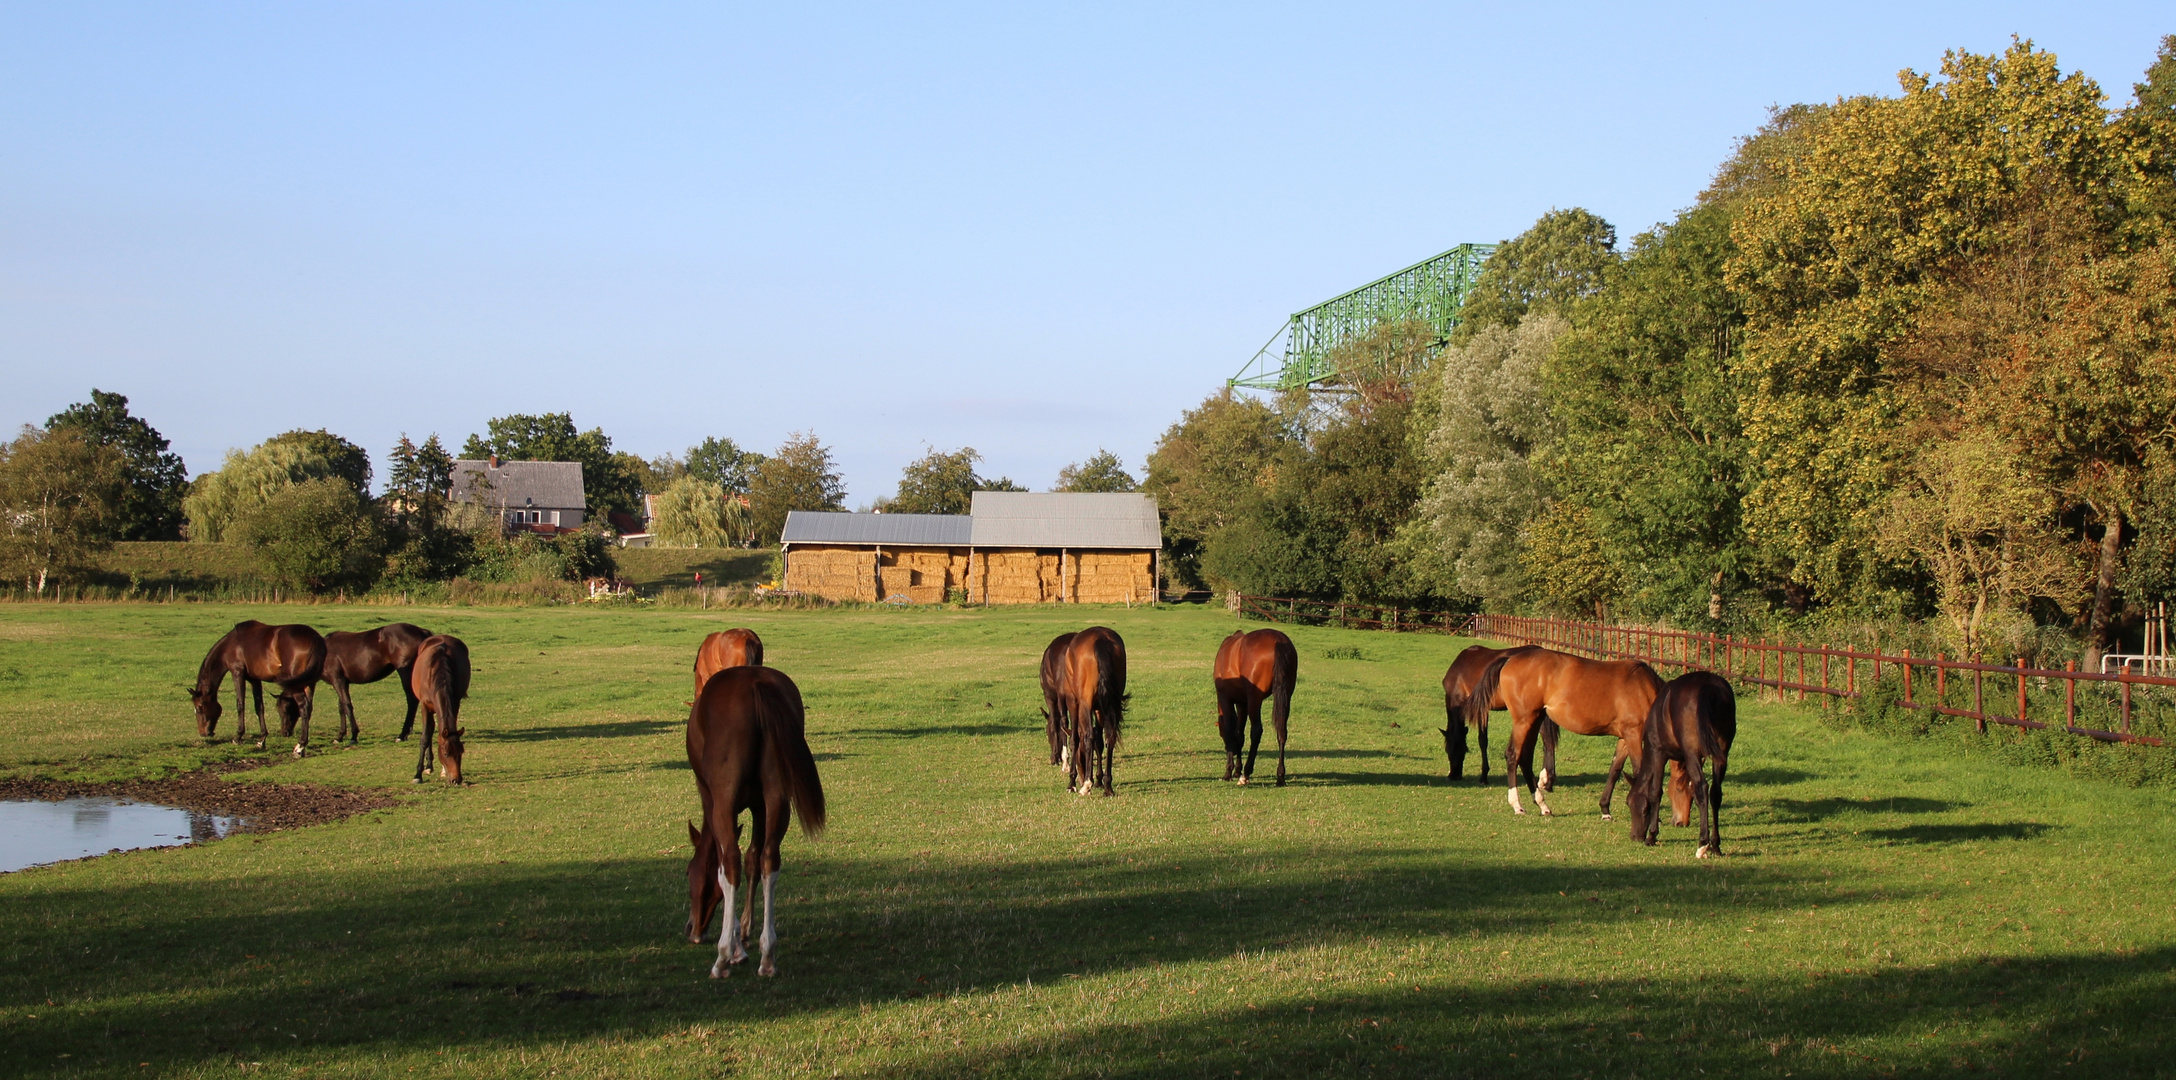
267	807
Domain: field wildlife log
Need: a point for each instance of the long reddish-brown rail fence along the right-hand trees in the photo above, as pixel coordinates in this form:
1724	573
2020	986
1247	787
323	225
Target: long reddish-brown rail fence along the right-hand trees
1783	667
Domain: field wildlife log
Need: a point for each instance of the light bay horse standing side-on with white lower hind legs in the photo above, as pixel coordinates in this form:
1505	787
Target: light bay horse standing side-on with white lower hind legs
1592	698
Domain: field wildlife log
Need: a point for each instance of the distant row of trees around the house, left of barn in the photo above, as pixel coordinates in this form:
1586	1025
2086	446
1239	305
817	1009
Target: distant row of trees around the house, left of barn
304	500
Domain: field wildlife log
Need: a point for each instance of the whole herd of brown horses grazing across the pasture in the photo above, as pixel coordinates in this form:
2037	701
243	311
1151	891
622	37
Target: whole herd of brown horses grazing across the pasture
747	733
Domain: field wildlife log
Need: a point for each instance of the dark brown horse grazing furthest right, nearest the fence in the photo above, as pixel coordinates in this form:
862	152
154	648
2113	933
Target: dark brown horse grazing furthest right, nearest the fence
1692	722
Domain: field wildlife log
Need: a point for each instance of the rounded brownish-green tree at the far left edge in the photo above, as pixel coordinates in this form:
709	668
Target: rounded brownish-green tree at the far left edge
60	495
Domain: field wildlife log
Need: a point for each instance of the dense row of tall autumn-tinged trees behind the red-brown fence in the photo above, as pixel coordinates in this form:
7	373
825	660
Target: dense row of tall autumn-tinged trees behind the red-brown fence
1907	356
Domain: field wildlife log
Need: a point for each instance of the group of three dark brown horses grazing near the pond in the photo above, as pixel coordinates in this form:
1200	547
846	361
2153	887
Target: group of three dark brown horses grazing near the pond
297	659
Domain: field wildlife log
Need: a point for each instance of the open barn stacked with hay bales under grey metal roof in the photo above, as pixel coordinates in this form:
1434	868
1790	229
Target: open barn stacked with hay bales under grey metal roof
1013	548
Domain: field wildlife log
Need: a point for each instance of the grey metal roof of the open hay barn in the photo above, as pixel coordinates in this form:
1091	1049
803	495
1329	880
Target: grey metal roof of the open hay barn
998	519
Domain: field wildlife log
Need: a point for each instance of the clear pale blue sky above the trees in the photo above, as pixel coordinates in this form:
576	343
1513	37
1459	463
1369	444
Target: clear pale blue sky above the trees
1017	228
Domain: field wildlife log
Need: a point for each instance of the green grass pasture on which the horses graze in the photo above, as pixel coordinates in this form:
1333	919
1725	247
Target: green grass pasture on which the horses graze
1886	909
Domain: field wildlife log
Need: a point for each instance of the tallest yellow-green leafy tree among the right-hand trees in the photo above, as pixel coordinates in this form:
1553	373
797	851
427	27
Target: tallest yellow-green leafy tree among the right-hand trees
1875	206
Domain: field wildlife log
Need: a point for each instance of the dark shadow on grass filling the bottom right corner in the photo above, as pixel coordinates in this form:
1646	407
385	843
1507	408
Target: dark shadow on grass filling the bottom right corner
2027	1020
